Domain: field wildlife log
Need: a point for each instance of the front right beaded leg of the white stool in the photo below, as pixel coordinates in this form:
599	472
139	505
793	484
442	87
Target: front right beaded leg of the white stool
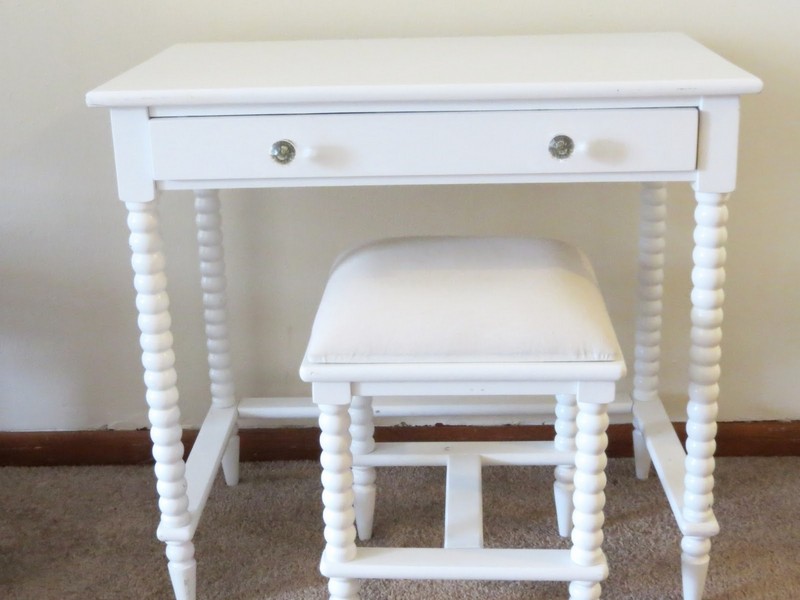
589	498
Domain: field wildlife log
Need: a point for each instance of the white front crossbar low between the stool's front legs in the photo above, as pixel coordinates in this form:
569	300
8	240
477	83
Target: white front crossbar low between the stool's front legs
464	563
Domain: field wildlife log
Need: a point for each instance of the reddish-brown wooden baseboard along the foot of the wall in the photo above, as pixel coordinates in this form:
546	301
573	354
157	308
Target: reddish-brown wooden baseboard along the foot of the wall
116	447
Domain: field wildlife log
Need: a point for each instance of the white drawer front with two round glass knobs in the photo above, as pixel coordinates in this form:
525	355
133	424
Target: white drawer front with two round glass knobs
374	145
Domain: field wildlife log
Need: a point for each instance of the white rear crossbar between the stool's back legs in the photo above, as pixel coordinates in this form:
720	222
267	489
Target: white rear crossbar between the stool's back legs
432	454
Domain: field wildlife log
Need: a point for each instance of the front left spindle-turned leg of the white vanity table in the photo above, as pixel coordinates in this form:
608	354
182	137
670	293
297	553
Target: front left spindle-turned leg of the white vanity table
162	394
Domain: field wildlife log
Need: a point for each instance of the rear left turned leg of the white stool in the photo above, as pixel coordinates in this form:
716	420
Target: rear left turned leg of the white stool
362	430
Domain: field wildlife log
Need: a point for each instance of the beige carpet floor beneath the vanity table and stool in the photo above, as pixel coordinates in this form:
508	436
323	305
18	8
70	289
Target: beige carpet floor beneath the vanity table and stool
88	532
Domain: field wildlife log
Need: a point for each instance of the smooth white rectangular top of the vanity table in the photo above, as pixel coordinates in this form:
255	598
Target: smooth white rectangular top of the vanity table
407	70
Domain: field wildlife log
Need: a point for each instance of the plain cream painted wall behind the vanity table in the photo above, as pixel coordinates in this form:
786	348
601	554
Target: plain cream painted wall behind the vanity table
68	337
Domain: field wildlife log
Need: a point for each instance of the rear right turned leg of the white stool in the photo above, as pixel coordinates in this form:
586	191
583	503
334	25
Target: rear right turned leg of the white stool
564	487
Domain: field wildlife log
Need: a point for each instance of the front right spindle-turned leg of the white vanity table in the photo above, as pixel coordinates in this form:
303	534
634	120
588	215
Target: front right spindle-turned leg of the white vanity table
708	277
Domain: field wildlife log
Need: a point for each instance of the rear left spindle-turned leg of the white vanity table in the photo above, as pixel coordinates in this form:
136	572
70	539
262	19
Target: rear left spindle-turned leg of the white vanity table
215	302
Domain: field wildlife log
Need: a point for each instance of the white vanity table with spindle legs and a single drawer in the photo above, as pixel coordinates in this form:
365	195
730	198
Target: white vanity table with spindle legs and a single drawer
646	108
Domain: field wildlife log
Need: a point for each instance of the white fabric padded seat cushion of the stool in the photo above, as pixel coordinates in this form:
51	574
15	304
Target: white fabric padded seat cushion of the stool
464	300
